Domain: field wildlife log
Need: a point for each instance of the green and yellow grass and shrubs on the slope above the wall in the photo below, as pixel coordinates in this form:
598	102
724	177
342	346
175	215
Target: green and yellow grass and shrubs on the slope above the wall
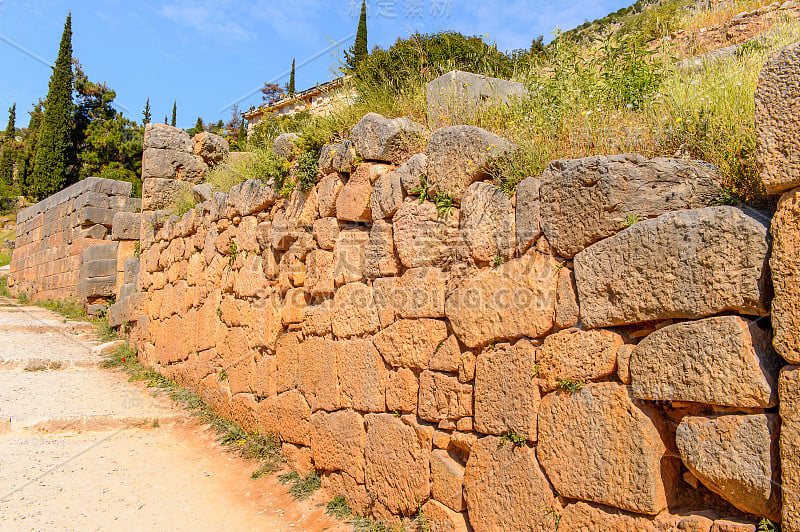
611	86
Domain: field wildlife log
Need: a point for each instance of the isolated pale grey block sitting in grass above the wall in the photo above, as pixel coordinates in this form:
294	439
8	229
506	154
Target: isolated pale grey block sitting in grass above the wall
457	94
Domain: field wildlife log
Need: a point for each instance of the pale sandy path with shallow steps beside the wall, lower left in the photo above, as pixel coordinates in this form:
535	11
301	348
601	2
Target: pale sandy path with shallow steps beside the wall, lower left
80	448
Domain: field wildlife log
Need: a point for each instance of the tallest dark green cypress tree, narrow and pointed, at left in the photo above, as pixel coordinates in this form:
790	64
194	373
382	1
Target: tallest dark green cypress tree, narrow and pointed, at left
50	168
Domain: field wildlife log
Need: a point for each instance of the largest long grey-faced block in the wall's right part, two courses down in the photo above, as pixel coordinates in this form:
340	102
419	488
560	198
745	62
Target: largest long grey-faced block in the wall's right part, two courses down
684	264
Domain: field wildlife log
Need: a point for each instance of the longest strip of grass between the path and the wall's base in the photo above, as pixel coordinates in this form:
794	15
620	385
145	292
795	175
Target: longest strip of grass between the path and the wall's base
264	449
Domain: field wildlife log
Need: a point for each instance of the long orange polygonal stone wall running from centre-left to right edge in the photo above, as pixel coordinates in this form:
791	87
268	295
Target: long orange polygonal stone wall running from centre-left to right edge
605	350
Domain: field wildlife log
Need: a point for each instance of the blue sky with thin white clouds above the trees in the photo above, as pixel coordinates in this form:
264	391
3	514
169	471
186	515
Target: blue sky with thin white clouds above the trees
207	54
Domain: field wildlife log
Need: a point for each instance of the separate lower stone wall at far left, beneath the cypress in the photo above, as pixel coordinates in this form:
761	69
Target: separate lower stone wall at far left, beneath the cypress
59	251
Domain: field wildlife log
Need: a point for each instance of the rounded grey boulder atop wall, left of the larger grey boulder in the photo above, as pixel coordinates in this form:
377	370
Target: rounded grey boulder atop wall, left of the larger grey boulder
381	139
